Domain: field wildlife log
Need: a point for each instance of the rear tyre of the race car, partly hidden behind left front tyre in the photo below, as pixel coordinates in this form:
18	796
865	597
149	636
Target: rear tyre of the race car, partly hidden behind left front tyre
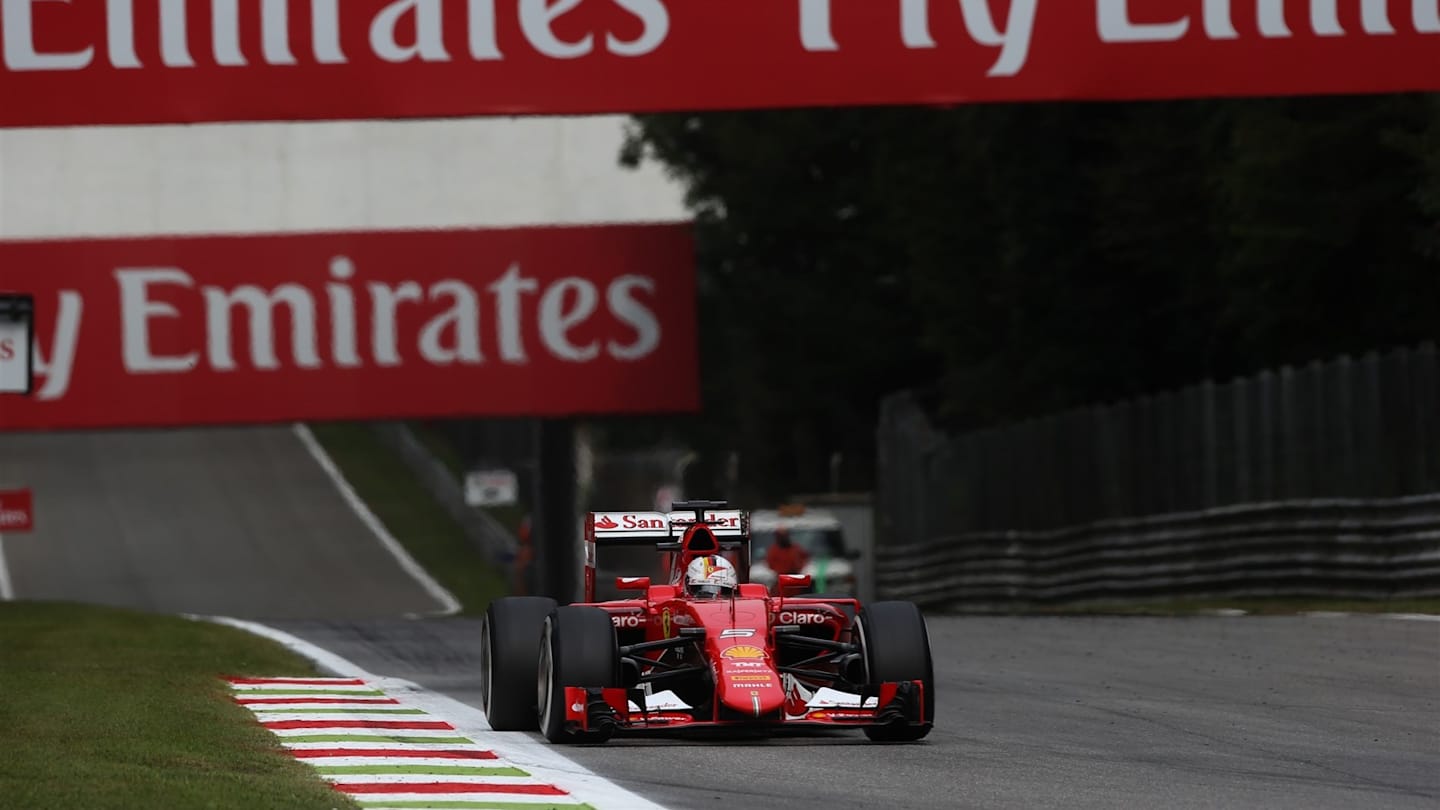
509	654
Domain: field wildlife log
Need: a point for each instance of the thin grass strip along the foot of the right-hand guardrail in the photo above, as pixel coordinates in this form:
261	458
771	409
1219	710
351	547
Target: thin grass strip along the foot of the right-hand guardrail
1277	606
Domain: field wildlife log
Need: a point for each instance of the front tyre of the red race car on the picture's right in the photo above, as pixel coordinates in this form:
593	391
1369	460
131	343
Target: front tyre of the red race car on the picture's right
898	648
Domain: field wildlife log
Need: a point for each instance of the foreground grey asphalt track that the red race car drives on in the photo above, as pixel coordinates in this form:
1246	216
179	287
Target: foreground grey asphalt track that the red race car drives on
1056	713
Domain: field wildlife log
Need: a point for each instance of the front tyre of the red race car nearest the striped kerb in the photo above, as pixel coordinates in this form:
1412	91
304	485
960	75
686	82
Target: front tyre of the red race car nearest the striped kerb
577	649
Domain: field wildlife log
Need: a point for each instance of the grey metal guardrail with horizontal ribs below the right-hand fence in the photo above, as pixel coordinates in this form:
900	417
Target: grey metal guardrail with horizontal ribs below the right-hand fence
1343	548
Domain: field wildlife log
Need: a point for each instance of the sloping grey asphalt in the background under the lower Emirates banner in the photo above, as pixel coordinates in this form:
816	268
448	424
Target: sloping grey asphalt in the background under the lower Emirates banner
233	522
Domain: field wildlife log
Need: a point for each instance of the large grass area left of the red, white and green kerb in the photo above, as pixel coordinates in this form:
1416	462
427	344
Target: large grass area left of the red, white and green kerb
106	708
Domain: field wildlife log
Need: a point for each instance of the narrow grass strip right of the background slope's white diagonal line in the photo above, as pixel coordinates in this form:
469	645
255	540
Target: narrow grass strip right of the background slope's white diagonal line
408	511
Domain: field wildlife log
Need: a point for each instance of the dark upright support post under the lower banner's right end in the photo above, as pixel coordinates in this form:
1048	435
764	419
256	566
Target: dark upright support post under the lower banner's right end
557	524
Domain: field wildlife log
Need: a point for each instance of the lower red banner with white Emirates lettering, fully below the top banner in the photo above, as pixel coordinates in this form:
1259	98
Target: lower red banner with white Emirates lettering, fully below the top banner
358	326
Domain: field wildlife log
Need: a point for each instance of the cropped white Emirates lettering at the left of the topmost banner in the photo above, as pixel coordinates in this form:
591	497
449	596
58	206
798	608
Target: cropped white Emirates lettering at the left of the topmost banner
40	38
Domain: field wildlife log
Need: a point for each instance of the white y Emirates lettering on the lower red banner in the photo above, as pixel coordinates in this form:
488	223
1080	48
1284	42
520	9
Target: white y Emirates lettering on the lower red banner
349	324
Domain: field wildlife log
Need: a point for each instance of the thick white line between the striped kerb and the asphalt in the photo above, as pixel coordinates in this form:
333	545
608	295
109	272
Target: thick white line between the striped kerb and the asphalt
526	752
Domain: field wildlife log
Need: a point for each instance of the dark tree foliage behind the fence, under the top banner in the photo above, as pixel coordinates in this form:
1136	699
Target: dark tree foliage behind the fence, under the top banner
1014	260
